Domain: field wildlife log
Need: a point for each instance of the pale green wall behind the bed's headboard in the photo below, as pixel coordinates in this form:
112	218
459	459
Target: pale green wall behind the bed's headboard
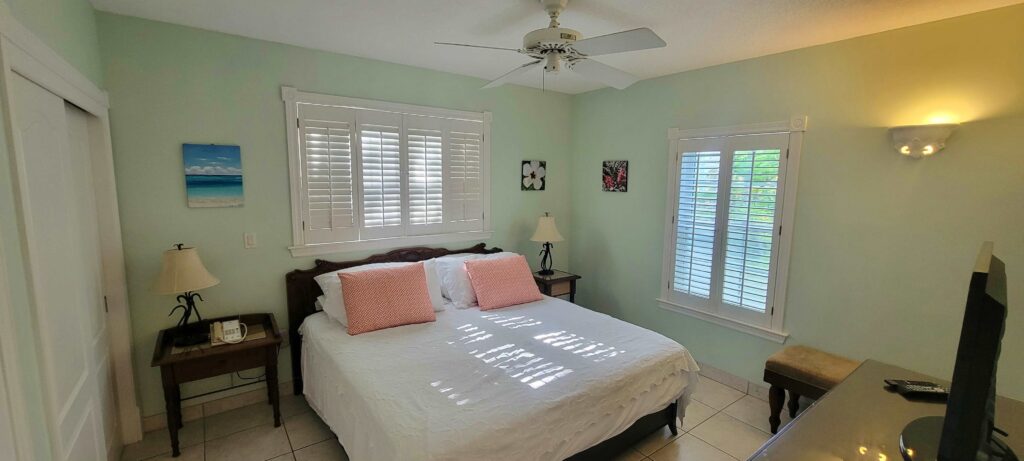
172	85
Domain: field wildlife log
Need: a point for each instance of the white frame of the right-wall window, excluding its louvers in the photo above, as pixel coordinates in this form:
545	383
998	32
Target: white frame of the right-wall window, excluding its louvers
773	327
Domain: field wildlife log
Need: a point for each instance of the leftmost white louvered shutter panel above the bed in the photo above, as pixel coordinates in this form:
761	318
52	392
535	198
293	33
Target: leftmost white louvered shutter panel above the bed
326	149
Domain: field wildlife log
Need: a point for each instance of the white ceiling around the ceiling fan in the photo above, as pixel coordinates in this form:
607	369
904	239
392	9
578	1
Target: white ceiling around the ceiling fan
700	33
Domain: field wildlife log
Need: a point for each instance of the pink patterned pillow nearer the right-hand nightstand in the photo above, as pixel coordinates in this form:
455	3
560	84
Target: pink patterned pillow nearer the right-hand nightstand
502	282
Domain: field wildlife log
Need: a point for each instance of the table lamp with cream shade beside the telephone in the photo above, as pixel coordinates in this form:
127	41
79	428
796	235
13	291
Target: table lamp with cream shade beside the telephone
184	273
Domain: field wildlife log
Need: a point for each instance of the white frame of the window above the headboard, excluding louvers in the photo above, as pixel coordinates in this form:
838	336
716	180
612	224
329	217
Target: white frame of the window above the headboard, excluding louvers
293	98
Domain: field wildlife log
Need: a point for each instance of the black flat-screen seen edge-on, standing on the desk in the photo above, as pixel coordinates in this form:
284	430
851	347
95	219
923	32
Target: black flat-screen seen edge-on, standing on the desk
967	433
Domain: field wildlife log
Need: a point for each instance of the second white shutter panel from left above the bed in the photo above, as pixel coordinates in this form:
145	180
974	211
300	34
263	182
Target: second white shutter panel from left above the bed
380	167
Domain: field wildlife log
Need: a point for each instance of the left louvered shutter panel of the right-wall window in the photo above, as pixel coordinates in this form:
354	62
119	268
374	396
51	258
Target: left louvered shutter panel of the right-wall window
696	223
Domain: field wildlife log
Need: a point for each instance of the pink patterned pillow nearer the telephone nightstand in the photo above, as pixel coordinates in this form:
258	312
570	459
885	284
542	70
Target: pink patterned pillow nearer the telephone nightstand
387	298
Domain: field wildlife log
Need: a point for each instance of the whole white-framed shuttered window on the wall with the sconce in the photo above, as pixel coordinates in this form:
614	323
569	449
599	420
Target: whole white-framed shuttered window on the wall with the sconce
731	200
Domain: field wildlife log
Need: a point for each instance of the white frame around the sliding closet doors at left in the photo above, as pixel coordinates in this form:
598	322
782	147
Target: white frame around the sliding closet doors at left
26	55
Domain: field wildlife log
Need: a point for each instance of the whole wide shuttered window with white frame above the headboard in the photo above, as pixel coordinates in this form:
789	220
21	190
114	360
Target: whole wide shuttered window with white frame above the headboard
370	175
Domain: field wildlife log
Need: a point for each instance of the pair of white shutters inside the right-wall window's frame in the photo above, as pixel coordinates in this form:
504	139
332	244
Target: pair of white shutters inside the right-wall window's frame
727	218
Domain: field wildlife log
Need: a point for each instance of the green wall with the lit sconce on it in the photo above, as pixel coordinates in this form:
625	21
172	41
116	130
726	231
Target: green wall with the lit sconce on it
883	245
